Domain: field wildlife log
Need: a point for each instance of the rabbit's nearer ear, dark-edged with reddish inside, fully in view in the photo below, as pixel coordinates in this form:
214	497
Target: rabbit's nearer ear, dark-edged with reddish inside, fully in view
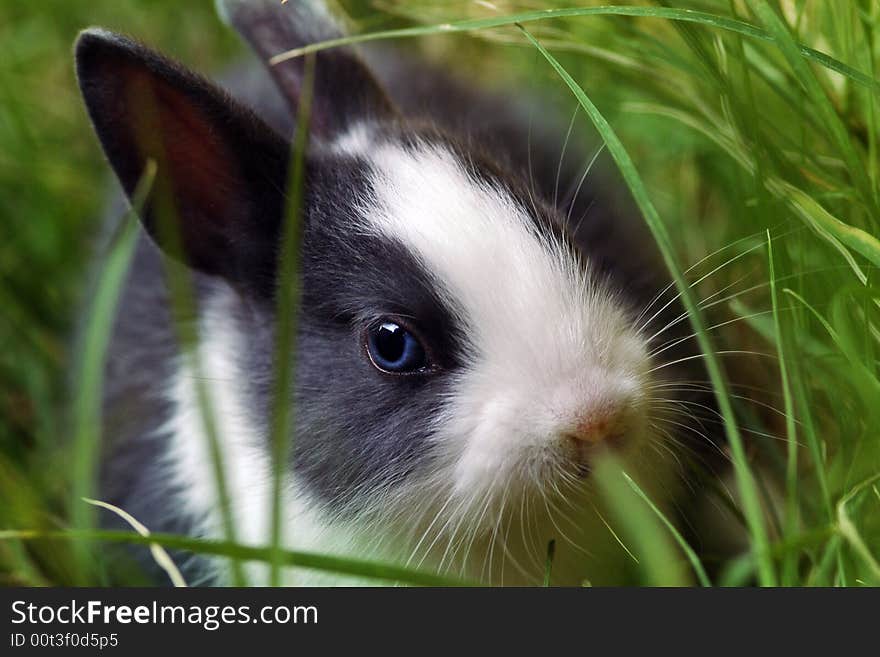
220	170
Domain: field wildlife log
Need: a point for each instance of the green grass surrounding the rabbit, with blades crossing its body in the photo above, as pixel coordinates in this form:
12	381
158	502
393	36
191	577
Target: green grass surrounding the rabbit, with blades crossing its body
745	129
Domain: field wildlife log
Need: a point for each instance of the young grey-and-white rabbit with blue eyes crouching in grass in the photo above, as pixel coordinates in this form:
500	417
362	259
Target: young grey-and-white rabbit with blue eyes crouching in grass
468	342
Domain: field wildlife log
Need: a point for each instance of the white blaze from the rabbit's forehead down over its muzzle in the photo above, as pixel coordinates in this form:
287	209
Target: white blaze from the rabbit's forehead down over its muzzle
547	345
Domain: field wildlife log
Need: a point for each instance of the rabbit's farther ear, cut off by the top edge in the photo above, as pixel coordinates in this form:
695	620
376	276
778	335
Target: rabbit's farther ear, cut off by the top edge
345	91
